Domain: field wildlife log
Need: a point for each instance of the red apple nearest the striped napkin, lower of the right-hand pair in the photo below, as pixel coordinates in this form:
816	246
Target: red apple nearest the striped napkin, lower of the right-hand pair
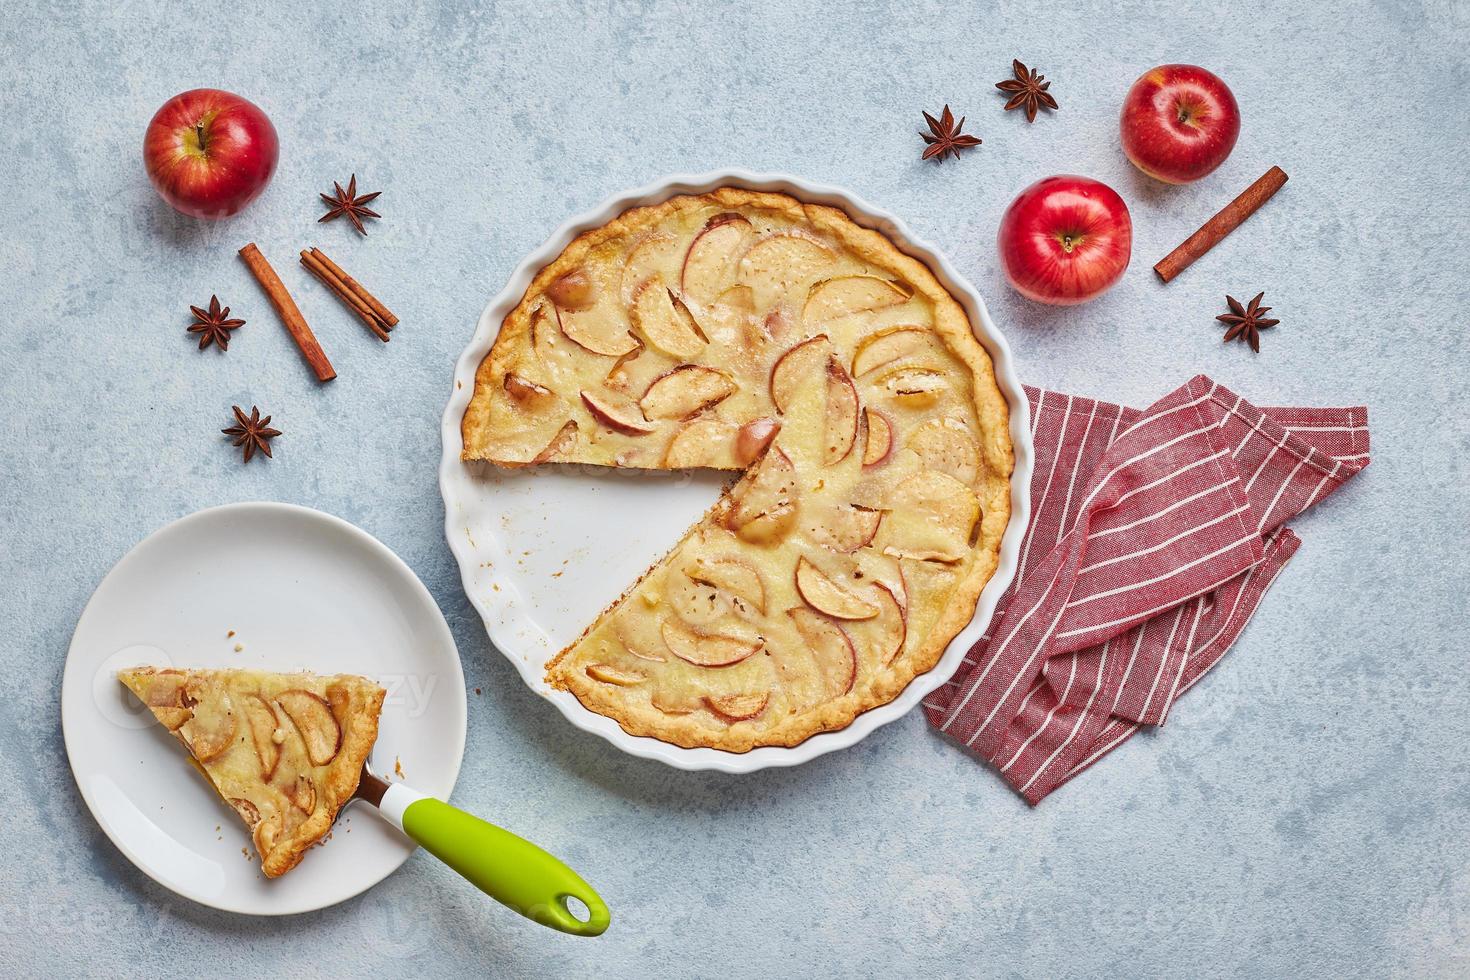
1065	240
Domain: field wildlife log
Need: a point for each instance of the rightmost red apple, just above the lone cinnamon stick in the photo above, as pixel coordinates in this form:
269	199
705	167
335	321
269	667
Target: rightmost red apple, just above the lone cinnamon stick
1180	123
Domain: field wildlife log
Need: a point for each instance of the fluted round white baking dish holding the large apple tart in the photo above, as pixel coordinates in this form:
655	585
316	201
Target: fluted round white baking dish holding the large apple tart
545	550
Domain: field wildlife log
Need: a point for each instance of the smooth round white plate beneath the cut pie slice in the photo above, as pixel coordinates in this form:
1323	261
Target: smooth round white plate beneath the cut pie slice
304	591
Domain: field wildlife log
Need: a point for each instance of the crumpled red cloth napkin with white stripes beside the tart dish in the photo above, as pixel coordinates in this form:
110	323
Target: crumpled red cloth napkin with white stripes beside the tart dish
1153	538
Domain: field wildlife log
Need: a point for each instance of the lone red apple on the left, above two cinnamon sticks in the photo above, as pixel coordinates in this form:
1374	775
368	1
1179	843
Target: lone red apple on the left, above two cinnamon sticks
209	152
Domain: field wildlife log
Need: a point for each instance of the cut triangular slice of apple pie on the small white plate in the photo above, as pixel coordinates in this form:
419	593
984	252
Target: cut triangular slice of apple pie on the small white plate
283	750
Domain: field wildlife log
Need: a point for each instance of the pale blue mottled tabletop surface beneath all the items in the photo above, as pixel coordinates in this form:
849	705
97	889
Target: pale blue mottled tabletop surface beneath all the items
1306	809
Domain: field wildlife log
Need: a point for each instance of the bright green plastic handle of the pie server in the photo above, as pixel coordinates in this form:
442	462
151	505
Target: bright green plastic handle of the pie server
509	869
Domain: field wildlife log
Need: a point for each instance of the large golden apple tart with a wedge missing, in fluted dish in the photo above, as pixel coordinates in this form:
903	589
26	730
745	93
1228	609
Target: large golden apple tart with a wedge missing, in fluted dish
752	333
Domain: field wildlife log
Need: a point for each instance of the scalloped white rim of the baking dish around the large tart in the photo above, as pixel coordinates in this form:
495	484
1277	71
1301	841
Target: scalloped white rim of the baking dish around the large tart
456	480
